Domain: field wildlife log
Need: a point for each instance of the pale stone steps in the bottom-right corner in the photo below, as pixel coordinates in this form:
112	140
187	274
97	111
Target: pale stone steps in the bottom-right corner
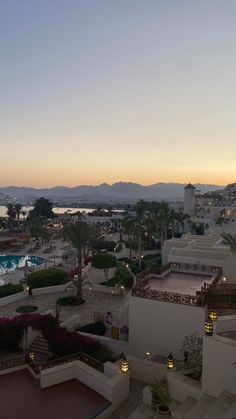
207	407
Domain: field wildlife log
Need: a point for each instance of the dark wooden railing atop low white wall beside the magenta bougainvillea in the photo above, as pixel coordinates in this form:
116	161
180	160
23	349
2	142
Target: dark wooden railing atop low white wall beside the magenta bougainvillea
81	356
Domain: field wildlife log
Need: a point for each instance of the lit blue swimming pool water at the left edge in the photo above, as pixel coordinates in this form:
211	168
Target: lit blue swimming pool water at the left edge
11	262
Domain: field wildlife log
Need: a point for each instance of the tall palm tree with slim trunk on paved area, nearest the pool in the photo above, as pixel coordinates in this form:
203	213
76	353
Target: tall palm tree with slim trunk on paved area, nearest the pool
79	235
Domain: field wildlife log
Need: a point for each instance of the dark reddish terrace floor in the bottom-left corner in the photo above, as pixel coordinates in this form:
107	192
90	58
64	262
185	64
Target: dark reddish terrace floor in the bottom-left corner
23	398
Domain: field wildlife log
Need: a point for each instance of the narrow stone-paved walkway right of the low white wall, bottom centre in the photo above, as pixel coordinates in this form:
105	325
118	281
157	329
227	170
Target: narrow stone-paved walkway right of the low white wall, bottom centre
129	405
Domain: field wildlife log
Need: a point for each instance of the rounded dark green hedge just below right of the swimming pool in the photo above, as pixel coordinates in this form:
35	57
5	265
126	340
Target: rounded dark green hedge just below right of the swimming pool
47	278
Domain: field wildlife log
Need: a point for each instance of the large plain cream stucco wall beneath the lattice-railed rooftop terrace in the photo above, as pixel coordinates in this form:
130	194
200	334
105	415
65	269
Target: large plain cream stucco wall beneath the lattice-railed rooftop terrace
160	327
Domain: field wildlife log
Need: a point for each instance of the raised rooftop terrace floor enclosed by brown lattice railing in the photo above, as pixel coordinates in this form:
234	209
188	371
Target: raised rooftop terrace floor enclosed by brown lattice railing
179	282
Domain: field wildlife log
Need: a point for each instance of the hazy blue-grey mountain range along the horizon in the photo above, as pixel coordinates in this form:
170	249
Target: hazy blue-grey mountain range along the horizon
119	191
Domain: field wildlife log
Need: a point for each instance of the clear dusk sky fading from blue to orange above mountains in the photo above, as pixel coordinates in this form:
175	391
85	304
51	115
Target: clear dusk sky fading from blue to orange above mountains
96	91
